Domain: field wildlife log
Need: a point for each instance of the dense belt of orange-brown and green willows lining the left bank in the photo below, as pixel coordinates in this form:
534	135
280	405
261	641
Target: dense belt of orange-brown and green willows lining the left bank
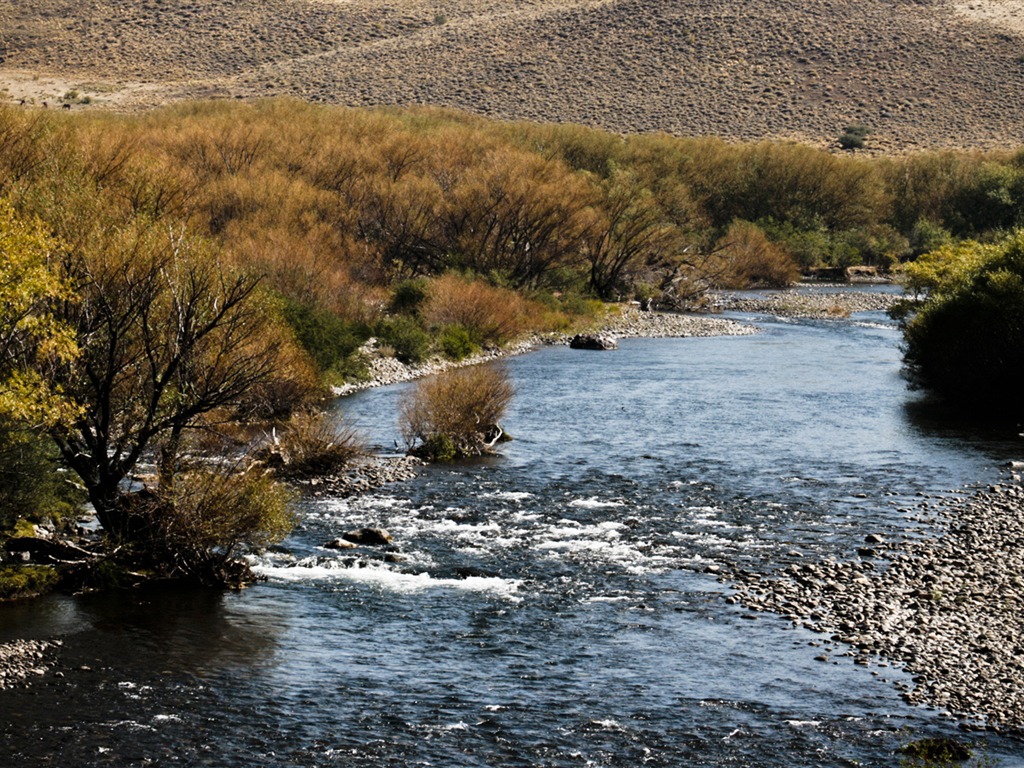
181	282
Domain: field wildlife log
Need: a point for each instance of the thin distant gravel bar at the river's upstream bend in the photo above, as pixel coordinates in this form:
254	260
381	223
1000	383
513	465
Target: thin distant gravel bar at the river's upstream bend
799	305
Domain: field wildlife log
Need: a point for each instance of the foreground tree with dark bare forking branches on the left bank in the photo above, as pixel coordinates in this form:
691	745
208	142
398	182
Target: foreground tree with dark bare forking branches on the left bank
168	344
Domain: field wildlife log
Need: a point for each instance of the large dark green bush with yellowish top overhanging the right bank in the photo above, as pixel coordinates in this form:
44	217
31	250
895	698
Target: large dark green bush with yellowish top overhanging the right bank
967	340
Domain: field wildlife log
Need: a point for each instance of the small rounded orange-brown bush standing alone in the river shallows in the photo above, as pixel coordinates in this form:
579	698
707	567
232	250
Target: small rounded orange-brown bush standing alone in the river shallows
456	414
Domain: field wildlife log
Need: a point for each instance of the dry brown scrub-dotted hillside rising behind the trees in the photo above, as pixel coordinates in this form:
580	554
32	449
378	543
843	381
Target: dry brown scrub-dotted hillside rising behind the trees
920	73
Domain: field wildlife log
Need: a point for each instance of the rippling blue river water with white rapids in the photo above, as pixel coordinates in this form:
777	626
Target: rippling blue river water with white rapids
552	607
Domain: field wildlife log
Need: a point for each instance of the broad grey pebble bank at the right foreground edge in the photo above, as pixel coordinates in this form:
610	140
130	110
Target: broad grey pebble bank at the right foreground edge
949	610
